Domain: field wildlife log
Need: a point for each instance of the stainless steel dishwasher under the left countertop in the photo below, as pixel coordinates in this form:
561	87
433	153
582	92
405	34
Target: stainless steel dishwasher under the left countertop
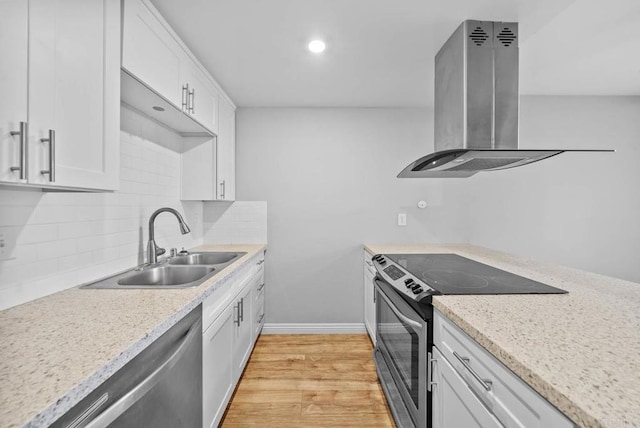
160	387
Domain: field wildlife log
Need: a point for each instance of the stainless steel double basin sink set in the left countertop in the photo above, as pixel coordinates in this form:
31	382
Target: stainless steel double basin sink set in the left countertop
181	271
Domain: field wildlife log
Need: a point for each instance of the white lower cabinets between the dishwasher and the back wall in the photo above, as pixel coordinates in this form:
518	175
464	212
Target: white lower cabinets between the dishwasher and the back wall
229	335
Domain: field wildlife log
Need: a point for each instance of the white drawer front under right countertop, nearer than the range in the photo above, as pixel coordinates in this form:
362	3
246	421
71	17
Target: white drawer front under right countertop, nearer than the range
510	399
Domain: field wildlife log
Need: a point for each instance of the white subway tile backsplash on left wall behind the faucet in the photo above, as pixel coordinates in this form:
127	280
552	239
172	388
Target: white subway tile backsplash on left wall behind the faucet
65	239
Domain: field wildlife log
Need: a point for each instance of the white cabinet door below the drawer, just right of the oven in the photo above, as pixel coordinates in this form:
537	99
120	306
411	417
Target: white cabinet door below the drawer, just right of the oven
453	403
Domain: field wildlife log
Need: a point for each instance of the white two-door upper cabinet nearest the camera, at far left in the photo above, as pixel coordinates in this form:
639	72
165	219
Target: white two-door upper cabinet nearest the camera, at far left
71	111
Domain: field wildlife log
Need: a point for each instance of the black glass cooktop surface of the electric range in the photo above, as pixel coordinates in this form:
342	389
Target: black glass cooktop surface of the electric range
454	274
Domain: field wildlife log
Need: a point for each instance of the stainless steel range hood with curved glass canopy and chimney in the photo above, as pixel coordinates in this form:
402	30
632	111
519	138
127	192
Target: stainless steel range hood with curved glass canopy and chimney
476	105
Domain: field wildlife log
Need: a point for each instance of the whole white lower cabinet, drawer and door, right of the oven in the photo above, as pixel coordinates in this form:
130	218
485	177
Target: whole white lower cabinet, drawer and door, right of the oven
474	389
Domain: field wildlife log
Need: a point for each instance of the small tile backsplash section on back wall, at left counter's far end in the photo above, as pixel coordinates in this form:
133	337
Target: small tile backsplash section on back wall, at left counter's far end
239	222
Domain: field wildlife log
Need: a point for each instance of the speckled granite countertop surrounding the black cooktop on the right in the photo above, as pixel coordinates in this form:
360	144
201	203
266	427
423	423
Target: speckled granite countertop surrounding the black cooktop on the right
581	351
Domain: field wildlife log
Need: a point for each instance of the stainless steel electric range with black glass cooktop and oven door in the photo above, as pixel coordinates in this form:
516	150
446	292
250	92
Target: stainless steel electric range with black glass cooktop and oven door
405	285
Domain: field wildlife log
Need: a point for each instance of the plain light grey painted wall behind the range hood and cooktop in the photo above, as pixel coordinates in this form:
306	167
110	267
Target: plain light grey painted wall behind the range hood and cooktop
328	176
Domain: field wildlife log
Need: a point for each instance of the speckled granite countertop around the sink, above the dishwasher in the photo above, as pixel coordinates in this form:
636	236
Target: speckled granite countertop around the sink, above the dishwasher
57	349
